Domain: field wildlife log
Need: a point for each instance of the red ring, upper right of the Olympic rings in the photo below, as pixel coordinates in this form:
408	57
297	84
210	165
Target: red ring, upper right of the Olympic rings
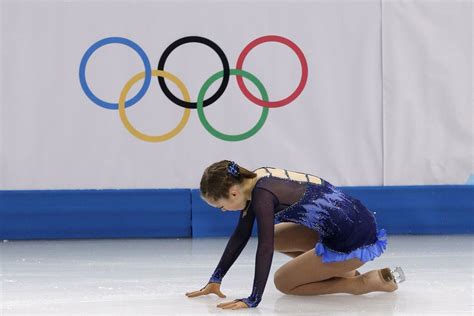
304	71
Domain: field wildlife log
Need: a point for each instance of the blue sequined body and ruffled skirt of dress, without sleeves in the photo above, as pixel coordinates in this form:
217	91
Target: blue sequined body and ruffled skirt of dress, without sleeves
346	227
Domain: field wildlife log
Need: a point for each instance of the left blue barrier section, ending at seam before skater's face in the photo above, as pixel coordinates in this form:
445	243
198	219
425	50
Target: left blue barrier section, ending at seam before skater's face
54	214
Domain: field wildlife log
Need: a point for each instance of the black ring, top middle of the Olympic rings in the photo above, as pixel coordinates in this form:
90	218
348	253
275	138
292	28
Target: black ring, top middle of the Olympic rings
213	46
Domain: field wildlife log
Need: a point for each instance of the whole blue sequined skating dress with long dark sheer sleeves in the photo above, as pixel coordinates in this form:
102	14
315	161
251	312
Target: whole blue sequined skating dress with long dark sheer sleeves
346	228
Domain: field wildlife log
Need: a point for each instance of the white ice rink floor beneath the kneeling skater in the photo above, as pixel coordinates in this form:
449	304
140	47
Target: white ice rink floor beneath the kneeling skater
150	276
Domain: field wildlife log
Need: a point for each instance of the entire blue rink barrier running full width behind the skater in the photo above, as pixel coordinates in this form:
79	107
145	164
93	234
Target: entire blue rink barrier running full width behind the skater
153	213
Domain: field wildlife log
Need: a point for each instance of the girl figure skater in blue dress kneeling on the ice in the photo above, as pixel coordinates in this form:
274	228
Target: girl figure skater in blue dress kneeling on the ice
328	234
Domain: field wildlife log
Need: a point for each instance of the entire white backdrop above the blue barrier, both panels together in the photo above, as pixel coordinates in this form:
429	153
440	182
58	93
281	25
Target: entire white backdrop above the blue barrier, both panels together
54	137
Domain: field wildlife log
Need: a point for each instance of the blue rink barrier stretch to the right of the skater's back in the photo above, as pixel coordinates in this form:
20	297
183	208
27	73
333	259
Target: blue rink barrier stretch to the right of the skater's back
441	209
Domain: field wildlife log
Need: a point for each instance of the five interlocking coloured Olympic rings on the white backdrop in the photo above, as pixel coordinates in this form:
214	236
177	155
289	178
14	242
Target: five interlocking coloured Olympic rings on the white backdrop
185	102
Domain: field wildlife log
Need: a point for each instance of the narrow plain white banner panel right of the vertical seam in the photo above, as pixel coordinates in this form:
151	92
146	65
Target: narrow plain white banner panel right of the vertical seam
427	86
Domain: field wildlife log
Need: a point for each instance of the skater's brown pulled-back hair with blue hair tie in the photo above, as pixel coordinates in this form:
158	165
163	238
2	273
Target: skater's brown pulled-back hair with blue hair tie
220	176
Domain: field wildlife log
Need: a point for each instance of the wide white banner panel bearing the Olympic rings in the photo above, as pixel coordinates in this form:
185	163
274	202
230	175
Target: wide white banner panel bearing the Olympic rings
56	137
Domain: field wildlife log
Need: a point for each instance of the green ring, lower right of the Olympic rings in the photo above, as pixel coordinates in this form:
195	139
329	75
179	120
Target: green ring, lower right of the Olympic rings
205	122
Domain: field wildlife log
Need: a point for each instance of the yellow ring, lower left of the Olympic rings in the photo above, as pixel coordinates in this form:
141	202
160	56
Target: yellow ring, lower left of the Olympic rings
133	130
